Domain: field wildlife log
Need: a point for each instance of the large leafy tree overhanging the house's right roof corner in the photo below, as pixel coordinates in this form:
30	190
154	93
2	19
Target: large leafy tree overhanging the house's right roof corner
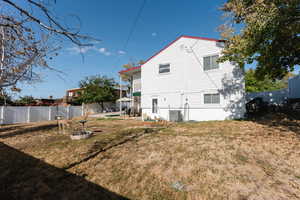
265	31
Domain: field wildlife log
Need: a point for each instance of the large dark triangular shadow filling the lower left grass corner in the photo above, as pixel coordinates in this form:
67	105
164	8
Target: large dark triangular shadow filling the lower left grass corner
25	177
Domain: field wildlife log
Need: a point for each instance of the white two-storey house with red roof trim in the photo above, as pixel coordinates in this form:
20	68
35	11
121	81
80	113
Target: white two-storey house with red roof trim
185	78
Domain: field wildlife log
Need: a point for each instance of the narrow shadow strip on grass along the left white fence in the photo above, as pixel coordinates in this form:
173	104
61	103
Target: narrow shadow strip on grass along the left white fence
20	130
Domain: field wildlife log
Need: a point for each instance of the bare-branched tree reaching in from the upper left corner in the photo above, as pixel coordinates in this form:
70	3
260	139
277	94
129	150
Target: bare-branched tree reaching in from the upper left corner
22	49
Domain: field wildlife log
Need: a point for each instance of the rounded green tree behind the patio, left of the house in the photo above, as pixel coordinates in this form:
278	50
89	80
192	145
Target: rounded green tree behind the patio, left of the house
98	89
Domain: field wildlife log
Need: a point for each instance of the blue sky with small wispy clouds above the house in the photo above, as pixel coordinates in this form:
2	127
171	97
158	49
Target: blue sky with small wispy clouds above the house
110	21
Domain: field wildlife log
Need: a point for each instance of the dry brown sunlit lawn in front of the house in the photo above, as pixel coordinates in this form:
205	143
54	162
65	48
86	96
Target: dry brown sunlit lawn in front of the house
209	160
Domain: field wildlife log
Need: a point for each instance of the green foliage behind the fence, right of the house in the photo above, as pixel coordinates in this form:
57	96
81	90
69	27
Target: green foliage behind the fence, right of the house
253	84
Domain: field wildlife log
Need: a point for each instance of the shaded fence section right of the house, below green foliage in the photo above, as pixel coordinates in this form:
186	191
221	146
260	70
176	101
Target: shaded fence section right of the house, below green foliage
272	97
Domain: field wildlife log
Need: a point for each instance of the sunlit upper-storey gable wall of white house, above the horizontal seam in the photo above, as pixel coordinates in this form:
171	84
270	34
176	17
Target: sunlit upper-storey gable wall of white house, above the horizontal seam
185	57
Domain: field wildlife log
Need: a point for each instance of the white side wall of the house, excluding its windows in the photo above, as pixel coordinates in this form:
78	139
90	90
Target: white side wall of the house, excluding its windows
184	87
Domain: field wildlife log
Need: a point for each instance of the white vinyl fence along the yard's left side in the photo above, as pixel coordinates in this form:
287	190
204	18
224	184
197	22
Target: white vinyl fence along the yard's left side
26	114
